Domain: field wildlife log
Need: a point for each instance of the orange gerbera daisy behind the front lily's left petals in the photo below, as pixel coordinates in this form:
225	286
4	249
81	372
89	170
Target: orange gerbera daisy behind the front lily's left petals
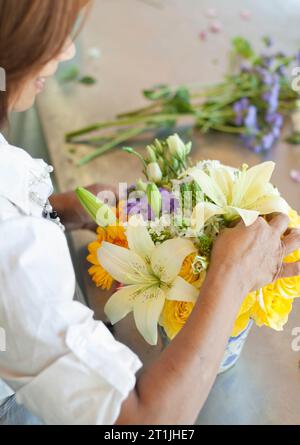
114	235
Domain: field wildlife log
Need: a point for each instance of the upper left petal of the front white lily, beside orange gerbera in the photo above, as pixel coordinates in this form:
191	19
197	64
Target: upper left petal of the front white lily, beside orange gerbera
123	265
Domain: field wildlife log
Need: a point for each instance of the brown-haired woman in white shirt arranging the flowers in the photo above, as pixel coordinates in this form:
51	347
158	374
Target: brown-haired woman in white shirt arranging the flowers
61	366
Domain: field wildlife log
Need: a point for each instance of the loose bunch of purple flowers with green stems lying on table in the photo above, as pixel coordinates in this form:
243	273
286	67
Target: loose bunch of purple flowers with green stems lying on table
251	102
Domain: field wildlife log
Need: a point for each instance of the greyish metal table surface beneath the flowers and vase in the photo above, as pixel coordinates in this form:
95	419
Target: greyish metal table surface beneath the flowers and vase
158	42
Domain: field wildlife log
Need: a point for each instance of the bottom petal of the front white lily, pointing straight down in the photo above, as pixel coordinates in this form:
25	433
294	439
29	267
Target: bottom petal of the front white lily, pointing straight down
147	311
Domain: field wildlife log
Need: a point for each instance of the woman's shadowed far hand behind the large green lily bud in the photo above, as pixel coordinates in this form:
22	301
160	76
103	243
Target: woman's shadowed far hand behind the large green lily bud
70	211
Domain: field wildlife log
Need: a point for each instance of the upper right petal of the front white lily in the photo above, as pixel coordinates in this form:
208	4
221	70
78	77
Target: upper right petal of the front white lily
167	258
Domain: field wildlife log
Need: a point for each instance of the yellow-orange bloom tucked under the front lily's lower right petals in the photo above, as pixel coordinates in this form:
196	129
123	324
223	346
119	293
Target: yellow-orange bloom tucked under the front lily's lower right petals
174	316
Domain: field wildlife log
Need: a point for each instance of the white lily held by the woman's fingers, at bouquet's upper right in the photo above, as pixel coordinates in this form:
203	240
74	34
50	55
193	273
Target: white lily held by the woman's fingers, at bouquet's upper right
246	195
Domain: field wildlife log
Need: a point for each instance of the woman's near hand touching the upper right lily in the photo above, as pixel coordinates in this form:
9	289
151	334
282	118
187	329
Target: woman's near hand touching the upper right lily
255	254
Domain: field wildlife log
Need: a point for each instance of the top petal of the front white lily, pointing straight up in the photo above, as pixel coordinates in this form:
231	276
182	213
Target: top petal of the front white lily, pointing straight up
138	237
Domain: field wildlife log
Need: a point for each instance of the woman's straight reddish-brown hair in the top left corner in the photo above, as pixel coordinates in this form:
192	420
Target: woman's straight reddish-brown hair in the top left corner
32	32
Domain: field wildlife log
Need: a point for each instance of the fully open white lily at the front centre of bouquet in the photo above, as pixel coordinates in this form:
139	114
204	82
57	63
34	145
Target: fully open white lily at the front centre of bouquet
150	274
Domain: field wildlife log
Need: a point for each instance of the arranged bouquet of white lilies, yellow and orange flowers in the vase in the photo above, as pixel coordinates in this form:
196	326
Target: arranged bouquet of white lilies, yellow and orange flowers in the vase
157	244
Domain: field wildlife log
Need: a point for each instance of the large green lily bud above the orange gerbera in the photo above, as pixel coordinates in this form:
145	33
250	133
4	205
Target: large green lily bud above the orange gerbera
101	213
